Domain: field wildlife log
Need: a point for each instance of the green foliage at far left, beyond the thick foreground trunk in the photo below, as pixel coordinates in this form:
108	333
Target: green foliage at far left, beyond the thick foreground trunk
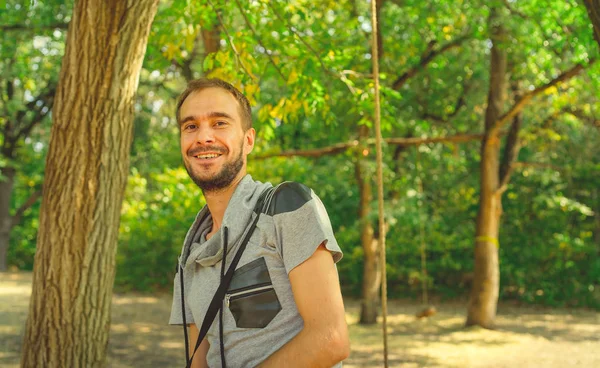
31	47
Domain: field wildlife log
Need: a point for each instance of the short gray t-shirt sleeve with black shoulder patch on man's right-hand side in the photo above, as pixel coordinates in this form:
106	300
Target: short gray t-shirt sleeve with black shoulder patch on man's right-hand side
301	225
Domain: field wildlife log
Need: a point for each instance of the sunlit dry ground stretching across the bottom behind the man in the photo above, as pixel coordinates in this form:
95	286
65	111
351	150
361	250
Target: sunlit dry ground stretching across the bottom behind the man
525	337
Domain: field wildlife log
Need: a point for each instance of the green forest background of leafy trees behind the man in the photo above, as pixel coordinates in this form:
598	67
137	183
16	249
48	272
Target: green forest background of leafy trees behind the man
306	67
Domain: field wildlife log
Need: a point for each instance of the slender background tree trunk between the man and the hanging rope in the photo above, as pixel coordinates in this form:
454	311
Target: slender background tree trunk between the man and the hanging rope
371	268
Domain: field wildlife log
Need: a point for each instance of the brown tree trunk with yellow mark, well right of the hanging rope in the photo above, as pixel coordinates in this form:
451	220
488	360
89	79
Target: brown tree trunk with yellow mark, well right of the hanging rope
486	282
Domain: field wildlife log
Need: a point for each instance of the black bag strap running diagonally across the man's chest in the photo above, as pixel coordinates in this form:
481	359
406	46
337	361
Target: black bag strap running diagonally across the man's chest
217	301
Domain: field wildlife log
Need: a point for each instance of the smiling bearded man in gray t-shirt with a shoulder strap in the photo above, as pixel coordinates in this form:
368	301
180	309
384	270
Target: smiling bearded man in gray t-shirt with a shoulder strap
283	307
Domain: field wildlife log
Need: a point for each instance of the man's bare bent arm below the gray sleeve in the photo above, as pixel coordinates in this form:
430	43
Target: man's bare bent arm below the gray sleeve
323	341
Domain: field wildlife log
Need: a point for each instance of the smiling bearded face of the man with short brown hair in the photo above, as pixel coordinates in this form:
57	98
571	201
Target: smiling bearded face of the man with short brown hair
214	145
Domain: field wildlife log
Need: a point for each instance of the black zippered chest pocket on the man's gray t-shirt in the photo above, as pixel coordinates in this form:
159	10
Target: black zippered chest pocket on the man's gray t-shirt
251	297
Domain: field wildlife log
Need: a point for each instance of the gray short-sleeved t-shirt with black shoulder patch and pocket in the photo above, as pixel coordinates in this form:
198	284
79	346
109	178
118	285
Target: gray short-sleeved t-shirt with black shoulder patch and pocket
260	314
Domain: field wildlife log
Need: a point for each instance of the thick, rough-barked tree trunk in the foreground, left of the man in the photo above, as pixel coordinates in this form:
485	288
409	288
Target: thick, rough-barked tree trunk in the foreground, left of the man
86	172
